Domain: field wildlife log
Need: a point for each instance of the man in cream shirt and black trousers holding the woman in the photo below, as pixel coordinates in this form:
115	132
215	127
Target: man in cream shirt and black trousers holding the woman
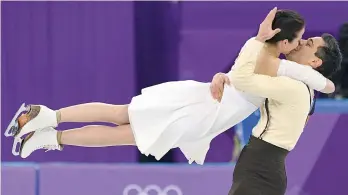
261	166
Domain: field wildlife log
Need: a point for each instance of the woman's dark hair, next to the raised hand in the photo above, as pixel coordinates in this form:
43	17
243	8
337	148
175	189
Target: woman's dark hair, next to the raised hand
290	23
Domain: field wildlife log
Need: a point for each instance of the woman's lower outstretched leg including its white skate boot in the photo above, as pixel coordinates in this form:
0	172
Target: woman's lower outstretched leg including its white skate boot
88	136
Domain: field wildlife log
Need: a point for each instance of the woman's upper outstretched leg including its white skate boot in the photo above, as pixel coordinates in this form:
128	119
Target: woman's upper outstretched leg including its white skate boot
40	116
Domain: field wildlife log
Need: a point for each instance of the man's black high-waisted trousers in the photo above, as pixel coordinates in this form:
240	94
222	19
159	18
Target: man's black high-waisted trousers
260	170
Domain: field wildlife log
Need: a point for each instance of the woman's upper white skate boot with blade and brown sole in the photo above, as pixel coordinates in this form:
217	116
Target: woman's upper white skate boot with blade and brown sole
36	117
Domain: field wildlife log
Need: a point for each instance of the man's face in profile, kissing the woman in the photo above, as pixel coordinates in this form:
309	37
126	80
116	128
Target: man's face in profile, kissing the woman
305	52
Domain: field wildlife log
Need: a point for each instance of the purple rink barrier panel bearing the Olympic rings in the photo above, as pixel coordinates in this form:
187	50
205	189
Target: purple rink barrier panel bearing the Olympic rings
92	179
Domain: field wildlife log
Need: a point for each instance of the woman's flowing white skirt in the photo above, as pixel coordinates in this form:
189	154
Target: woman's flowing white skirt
184	114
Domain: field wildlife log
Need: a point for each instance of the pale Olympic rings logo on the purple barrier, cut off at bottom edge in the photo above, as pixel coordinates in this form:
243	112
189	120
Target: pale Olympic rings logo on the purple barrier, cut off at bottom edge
134	189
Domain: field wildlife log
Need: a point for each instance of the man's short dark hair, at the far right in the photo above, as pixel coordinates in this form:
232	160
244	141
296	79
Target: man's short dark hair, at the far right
330	55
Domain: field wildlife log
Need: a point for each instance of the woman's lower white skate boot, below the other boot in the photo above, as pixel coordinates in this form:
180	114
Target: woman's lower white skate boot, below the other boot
41	139
